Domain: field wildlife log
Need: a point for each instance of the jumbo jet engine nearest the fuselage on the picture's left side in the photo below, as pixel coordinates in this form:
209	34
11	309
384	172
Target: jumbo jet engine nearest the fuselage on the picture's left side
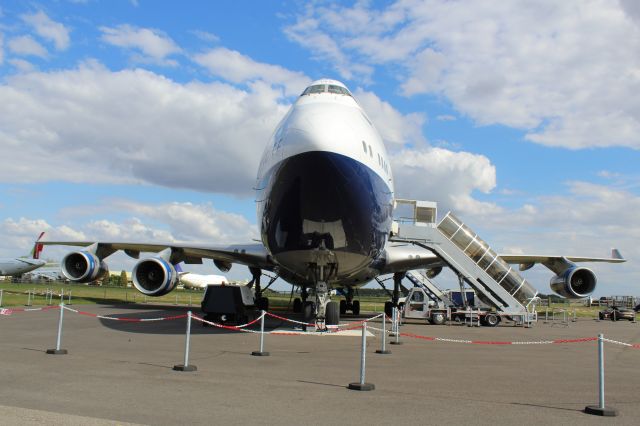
154	276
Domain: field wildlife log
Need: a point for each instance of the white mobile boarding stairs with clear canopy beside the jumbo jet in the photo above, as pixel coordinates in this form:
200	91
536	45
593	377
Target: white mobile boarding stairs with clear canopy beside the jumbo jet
495	282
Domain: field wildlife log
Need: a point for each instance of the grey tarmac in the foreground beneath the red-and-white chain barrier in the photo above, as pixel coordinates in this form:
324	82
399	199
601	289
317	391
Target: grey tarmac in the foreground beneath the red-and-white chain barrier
120	372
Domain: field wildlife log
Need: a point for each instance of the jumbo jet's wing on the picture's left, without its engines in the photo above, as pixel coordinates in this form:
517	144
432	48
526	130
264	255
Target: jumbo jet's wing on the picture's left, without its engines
253	255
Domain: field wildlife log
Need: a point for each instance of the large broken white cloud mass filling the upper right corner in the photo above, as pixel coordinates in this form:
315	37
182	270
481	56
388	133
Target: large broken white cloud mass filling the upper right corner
562	71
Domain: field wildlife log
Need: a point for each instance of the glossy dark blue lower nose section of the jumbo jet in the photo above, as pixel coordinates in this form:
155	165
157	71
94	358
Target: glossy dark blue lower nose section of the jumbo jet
321	199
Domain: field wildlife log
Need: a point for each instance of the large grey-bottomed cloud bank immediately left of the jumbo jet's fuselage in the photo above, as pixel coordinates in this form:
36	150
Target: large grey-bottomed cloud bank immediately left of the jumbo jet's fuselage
93	125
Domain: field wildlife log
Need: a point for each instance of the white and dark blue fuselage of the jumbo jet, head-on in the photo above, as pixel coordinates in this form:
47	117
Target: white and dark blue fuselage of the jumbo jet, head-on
325	183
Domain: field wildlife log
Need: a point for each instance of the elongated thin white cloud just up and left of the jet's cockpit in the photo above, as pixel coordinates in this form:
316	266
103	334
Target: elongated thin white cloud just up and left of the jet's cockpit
235	67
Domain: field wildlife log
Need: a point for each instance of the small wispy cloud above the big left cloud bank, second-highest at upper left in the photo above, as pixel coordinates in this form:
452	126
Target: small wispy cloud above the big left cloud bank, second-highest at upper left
154	45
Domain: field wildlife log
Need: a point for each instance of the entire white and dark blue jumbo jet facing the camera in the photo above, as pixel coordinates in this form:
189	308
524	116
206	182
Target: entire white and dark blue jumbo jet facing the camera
325	200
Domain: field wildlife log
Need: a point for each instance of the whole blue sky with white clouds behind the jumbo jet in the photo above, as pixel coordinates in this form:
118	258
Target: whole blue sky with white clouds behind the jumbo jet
146	120
